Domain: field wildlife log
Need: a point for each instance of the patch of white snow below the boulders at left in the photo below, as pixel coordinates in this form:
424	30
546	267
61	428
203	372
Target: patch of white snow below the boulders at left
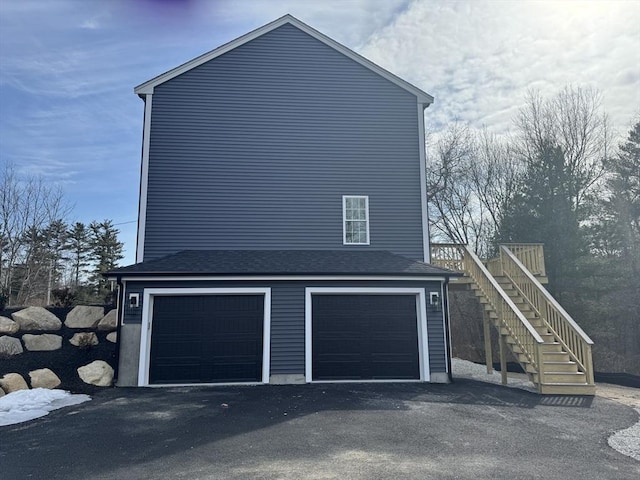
24	405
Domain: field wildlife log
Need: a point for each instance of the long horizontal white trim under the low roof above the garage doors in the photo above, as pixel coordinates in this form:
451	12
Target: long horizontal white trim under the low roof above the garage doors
209	278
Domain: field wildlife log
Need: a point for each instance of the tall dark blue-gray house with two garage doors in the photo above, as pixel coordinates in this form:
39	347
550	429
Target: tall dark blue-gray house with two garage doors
282	231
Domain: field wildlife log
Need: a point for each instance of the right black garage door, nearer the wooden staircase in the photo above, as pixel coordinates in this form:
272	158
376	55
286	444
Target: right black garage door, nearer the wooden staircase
364	337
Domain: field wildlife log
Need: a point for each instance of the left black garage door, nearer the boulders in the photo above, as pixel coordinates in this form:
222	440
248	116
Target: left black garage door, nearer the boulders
206	339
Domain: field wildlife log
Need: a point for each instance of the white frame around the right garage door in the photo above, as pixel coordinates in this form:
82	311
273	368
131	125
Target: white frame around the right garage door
421	315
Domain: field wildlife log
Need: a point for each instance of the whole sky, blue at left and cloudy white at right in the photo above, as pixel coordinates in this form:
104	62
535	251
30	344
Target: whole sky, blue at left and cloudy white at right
68	68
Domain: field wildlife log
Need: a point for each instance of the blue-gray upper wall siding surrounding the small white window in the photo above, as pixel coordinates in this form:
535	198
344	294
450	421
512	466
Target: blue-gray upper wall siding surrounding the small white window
254	150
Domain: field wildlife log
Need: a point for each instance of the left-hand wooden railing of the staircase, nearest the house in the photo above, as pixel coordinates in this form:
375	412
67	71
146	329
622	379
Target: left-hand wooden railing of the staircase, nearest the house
509	317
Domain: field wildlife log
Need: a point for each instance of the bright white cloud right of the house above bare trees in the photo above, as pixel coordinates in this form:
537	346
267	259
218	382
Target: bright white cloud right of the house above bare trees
478	58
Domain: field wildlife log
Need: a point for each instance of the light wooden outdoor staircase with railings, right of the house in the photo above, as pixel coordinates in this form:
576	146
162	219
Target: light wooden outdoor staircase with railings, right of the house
551	348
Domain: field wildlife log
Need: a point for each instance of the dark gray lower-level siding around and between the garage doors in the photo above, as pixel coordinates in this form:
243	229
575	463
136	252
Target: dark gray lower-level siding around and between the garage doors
288	320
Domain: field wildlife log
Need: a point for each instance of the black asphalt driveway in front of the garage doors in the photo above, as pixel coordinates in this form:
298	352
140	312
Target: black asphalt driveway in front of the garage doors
467	430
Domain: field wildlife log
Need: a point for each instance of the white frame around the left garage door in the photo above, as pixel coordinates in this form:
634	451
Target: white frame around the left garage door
147	326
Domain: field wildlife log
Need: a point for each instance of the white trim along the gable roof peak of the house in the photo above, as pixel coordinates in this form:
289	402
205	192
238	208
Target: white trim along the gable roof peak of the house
148	86
